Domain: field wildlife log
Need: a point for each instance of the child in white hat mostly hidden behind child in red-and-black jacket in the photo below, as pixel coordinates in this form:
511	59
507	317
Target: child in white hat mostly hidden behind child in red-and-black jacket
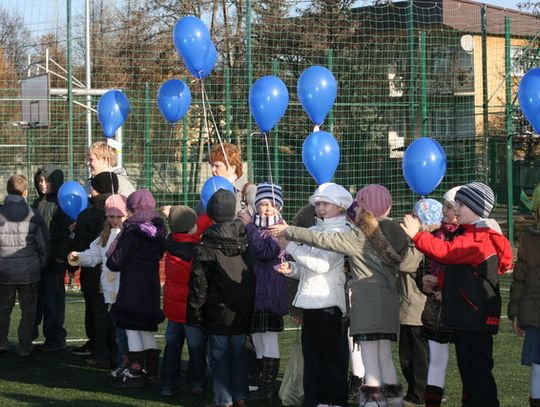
438	337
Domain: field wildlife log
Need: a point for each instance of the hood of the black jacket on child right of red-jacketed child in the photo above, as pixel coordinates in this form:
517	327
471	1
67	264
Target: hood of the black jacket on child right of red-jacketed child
228	237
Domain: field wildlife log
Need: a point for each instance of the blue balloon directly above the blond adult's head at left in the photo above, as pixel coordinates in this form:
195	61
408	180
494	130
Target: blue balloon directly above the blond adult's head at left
113	110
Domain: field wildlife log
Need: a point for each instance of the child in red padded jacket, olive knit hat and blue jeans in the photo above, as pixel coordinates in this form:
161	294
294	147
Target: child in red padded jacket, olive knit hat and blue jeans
180	249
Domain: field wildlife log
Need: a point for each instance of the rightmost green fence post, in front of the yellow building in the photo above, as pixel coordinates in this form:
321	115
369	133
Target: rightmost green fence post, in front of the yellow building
508	120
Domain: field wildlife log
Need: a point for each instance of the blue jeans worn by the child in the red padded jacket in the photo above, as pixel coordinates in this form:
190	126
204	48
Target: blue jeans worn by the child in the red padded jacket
175	335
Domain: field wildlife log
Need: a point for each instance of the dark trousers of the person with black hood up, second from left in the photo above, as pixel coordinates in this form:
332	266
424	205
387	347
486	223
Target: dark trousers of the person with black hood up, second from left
51	307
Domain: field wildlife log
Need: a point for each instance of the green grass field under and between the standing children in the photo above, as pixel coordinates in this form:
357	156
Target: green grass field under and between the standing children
61	379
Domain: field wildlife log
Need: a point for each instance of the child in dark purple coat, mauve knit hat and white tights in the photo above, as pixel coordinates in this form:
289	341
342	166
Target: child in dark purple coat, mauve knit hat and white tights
136	254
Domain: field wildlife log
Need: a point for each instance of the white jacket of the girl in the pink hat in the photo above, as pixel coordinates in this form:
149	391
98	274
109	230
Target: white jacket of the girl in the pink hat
97	254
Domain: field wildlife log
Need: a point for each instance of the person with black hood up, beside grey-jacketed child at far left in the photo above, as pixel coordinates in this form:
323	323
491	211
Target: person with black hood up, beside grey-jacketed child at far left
51	306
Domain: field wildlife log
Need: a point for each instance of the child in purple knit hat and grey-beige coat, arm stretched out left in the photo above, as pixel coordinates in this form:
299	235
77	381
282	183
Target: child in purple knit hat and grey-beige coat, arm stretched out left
377	250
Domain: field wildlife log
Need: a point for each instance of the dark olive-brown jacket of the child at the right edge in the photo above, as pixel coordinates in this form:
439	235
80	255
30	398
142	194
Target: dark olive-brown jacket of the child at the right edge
525	288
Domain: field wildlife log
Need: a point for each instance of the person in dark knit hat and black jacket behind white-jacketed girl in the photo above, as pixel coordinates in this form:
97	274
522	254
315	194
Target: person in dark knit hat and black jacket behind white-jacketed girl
97	322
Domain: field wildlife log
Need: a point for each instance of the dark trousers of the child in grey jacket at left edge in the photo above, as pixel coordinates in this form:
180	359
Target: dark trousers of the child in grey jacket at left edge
27	294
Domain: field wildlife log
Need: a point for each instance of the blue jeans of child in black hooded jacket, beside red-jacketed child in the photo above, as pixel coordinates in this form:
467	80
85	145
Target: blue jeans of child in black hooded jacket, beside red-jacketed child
228	361
